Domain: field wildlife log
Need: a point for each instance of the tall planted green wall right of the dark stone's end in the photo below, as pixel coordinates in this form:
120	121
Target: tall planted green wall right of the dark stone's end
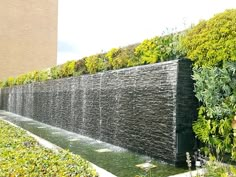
211	46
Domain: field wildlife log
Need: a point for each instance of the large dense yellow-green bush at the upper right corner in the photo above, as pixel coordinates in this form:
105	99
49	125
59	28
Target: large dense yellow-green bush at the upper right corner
212	41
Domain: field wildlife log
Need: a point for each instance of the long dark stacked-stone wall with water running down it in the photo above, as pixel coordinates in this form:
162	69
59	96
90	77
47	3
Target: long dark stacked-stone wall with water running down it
147	109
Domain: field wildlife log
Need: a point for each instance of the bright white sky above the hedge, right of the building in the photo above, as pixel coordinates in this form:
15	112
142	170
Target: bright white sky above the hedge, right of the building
87	27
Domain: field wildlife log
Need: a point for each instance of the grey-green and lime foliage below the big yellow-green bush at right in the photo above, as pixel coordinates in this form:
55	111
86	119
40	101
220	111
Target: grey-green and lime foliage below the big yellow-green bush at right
215	88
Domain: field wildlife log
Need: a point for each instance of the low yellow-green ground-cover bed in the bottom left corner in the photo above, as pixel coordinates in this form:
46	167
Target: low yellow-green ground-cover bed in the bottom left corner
22	156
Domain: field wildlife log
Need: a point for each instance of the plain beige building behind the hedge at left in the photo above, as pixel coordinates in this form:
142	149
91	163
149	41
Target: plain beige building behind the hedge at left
28	36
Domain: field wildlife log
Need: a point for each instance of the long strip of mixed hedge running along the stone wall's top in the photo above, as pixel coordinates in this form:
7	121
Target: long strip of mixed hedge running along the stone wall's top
152	50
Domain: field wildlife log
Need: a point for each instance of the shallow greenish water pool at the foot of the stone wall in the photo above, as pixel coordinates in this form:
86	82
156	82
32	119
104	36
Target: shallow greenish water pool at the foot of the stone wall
116	160
